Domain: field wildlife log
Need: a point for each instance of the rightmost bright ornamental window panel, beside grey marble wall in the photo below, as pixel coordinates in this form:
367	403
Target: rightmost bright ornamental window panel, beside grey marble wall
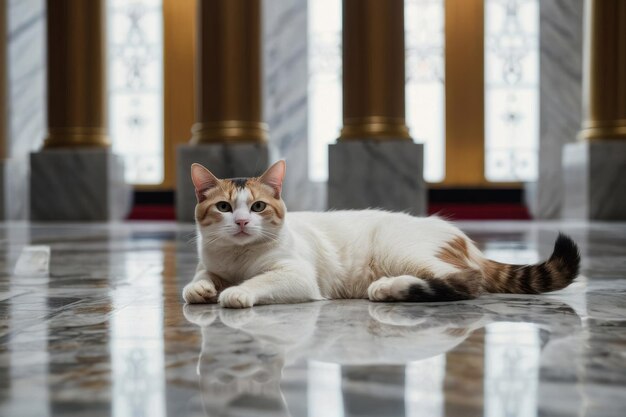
511	90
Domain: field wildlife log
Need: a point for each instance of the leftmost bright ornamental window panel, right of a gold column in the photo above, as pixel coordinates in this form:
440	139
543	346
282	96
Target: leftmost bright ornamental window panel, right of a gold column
135	87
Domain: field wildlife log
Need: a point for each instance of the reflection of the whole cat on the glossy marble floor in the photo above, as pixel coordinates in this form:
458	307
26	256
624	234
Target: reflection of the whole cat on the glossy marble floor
244	352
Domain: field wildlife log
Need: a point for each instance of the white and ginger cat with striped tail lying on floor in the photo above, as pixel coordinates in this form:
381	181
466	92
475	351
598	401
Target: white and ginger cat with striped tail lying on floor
252	252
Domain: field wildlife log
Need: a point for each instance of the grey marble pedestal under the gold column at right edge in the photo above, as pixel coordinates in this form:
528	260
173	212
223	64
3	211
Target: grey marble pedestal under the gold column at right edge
594	176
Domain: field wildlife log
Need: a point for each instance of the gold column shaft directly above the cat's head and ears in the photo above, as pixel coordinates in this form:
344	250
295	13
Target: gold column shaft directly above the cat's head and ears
228	73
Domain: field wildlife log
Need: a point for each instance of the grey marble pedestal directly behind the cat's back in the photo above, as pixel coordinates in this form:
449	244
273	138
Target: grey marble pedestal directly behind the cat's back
377	174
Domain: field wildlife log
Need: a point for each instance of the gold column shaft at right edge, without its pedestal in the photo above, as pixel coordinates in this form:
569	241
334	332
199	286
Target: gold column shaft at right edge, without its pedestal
604	87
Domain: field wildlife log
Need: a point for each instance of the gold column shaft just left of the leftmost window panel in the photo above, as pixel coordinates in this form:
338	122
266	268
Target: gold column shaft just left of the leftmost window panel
76	74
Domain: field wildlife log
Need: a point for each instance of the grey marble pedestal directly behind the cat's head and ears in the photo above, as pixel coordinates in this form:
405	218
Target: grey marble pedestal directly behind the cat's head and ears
223	160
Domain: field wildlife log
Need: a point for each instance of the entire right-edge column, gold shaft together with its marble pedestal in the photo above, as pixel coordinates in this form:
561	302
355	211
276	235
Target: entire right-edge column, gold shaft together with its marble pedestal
593	168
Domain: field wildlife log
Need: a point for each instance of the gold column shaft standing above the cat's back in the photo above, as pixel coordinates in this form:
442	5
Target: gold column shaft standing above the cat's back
373	70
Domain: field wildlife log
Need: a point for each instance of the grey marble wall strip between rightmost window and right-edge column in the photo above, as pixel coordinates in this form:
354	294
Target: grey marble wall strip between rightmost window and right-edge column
561	40
